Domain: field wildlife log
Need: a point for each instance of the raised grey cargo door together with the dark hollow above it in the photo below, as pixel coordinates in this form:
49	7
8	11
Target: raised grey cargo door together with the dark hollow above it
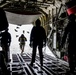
18	14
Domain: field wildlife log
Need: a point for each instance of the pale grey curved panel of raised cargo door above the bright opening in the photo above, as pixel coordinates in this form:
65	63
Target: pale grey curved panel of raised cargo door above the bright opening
21	19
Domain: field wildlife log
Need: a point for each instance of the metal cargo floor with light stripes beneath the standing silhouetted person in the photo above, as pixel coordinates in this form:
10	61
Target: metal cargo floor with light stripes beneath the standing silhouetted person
51	66
